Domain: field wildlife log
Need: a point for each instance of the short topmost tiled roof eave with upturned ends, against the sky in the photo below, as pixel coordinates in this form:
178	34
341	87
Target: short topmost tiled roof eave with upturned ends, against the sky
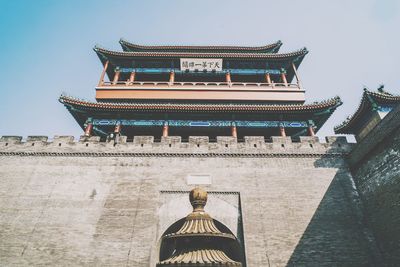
128	46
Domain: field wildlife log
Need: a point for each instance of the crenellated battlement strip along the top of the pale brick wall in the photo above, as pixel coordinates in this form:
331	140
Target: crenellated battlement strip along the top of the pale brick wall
195	145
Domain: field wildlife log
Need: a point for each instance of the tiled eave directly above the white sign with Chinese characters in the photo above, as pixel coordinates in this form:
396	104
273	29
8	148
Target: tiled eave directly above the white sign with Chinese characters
284	56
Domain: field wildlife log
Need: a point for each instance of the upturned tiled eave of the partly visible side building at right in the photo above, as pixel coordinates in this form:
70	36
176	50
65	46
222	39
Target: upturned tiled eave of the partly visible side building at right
346	127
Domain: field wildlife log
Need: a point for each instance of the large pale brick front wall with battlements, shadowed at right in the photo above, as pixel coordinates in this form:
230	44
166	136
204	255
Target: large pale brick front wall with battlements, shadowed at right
94	203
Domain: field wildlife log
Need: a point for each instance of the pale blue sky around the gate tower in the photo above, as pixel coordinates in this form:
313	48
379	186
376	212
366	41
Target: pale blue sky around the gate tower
46	47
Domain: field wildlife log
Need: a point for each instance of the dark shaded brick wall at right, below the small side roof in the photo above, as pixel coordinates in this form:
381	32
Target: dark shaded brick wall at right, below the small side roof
376	168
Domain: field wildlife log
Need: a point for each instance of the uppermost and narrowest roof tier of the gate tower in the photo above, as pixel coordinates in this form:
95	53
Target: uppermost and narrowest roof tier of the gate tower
270	48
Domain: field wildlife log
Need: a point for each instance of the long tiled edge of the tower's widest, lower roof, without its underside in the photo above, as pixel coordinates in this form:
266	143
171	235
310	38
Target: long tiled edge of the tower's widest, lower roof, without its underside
332	103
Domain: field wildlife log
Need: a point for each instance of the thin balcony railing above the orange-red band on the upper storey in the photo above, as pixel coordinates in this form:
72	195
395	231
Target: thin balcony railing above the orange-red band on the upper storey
196	84
